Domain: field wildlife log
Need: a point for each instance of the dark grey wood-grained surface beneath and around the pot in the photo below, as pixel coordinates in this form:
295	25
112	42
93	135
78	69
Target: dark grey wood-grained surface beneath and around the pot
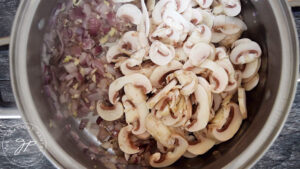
284	153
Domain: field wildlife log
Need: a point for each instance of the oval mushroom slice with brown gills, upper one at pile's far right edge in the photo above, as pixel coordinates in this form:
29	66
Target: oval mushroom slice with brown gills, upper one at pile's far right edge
245	53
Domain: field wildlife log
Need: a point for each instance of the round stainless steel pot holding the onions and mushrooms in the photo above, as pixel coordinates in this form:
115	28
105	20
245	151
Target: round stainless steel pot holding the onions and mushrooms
270	23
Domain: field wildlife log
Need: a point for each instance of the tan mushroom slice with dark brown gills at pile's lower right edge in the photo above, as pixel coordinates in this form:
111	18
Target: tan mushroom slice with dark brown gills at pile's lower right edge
233	120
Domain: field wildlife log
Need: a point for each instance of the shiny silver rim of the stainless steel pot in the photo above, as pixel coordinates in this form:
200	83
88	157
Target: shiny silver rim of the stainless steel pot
246	159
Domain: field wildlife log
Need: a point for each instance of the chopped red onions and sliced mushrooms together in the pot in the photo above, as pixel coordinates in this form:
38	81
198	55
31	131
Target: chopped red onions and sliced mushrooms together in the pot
157	80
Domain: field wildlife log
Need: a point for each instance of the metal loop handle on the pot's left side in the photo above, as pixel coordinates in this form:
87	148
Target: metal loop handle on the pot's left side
8	111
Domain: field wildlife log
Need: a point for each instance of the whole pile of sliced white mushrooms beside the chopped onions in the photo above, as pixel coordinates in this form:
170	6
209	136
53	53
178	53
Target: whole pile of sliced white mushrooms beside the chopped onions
182	68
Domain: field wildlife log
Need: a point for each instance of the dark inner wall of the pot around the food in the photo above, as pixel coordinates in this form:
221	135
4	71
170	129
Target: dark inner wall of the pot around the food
262	28
